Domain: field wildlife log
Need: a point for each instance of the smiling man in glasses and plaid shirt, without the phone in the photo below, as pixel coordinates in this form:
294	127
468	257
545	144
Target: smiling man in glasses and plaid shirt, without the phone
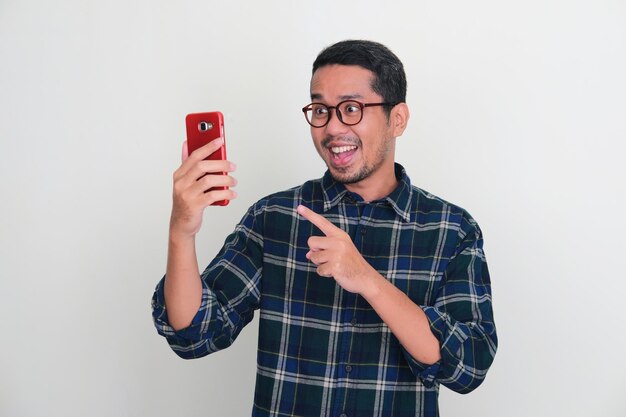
371	291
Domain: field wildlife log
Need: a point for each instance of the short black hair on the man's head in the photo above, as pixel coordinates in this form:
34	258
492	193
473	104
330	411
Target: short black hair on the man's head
389	78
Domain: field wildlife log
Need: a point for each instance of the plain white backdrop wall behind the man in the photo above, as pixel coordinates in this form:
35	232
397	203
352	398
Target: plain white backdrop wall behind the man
518	114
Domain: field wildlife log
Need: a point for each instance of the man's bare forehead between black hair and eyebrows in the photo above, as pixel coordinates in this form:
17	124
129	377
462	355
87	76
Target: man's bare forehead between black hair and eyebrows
335	82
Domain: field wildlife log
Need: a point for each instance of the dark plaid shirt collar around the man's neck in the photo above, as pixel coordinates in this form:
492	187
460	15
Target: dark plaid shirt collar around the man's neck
399	199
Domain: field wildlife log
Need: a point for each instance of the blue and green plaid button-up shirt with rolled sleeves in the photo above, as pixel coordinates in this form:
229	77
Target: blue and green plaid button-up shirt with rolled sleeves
322	350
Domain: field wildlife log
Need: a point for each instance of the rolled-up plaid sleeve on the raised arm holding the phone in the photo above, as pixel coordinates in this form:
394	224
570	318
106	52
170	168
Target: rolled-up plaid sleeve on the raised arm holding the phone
230	294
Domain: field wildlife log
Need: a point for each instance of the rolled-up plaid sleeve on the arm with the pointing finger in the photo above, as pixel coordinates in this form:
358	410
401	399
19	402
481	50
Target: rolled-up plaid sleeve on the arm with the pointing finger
462	318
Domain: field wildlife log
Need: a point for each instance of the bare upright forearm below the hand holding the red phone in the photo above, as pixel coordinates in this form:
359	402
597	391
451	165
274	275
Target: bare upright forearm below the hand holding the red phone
183	288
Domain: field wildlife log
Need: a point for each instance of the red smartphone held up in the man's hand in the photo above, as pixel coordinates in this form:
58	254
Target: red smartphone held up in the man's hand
202	128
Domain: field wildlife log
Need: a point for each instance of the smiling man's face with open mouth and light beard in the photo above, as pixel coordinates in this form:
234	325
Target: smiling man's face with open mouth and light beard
352	153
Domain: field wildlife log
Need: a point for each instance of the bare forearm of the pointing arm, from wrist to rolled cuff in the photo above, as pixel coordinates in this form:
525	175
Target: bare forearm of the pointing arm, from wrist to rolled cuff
405	319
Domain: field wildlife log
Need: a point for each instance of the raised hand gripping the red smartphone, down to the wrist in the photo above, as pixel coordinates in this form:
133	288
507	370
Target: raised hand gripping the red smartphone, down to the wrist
191	185
